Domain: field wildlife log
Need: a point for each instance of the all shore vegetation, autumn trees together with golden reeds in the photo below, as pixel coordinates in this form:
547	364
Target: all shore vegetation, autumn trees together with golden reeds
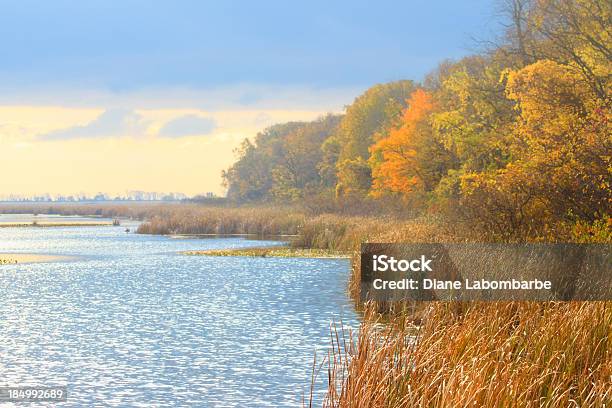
508	145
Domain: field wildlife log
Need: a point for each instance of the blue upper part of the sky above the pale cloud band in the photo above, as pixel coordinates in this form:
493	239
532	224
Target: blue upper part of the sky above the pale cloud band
131	44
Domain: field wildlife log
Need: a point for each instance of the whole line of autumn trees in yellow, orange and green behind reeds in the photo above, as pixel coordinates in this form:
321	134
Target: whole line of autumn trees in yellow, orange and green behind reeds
516	140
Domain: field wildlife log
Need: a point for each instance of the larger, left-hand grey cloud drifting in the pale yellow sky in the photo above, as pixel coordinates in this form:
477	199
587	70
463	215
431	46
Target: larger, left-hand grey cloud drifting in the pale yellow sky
111	123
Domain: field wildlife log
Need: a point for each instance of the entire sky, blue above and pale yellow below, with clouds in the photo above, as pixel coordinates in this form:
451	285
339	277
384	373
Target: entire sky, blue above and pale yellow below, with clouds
116	95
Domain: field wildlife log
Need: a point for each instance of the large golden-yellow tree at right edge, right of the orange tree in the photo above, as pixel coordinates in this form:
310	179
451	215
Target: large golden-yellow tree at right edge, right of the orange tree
565	135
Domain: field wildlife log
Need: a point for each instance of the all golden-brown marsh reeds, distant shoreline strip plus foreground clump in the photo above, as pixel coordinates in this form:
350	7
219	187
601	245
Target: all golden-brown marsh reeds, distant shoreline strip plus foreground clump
504	354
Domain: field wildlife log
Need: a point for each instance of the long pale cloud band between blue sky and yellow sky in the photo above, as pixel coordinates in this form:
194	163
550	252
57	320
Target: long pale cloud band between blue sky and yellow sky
243	96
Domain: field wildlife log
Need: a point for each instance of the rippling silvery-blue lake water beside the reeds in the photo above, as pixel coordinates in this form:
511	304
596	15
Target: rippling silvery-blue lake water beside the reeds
133	323
